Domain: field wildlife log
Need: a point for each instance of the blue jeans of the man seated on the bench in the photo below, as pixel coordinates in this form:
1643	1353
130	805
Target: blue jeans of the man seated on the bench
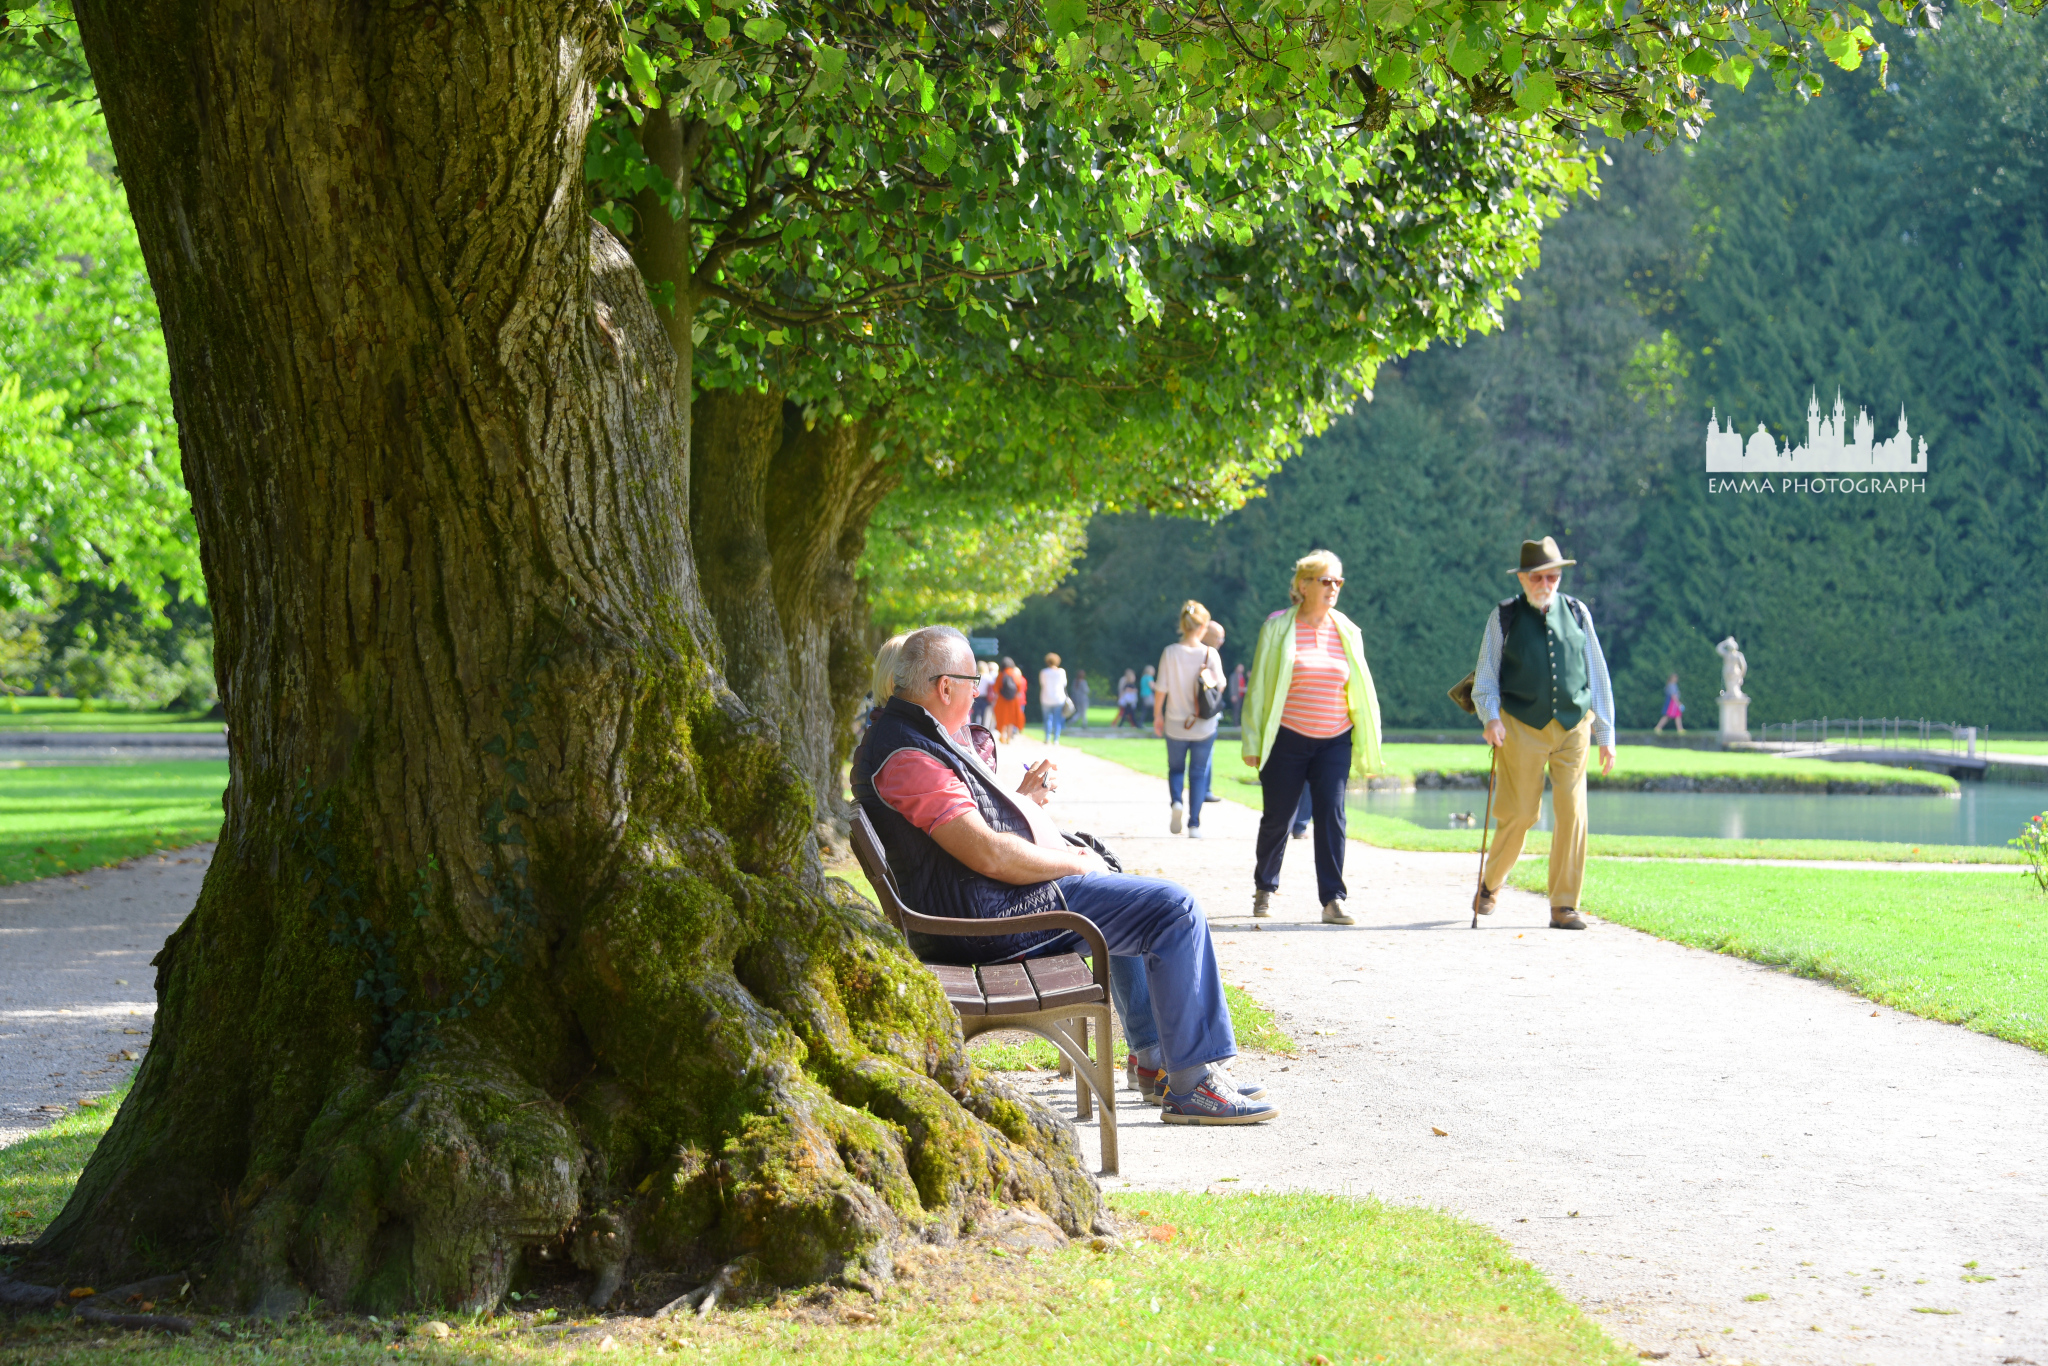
1162	966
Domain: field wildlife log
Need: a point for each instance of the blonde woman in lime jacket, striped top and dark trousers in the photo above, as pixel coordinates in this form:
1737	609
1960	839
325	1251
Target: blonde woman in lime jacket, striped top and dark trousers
1312	716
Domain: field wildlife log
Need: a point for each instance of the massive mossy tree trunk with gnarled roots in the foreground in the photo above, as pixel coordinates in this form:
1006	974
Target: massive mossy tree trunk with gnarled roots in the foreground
503	949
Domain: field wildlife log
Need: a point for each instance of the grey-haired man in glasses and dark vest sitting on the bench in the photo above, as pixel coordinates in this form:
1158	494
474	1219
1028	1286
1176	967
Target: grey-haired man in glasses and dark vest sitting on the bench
966	847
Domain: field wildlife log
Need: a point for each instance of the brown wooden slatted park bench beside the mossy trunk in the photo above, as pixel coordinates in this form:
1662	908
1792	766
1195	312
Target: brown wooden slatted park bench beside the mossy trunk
1054	998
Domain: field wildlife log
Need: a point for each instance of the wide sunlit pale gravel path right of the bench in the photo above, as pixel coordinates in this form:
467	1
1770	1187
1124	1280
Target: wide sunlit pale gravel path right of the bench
1668	1134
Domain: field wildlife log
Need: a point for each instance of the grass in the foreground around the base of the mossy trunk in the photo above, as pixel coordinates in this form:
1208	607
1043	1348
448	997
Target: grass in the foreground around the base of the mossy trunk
1252	1279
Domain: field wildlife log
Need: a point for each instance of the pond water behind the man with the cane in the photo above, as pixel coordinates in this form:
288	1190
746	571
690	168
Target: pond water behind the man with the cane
1988	814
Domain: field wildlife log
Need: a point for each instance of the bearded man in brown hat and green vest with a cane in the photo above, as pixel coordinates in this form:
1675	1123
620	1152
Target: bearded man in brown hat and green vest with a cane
1543	691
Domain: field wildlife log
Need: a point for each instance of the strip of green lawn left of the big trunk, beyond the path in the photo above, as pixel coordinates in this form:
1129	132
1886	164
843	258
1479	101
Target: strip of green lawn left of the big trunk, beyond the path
62	820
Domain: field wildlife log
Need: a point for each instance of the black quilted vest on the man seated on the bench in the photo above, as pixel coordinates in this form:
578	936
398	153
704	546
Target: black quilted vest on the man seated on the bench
931	880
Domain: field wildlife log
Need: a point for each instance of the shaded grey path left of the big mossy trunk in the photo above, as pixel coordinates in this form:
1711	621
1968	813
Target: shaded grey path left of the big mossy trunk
77	988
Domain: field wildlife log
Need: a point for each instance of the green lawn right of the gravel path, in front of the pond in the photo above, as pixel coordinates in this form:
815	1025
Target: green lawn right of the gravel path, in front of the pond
1967	949
